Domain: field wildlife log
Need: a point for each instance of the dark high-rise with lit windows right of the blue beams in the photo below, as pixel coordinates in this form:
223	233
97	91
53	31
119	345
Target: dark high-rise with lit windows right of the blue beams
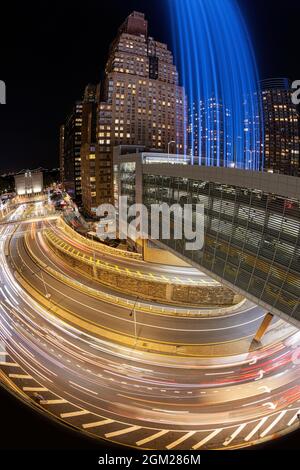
281	127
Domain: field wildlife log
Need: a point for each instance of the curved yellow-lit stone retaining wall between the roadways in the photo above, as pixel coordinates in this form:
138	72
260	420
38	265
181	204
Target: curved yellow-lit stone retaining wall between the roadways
147	286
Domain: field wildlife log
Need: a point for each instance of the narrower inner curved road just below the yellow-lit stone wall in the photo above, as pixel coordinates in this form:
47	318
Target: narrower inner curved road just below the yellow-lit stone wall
240	325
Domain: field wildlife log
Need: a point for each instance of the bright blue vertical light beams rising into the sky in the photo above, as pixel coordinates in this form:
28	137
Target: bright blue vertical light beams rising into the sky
218	70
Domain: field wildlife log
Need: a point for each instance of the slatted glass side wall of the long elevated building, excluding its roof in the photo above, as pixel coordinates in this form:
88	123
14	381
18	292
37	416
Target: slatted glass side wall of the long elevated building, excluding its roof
252	238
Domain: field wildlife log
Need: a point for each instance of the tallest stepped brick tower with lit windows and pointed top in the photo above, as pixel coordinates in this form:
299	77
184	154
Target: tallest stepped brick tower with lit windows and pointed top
141	104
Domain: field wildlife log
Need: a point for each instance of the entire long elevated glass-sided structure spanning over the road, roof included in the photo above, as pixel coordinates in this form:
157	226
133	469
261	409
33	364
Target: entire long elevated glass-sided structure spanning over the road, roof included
252	224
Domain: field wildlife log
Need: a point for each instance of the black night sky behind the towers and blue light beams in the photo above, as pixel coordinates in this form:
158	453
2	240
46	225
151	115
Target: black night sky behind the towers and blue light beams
50	50
